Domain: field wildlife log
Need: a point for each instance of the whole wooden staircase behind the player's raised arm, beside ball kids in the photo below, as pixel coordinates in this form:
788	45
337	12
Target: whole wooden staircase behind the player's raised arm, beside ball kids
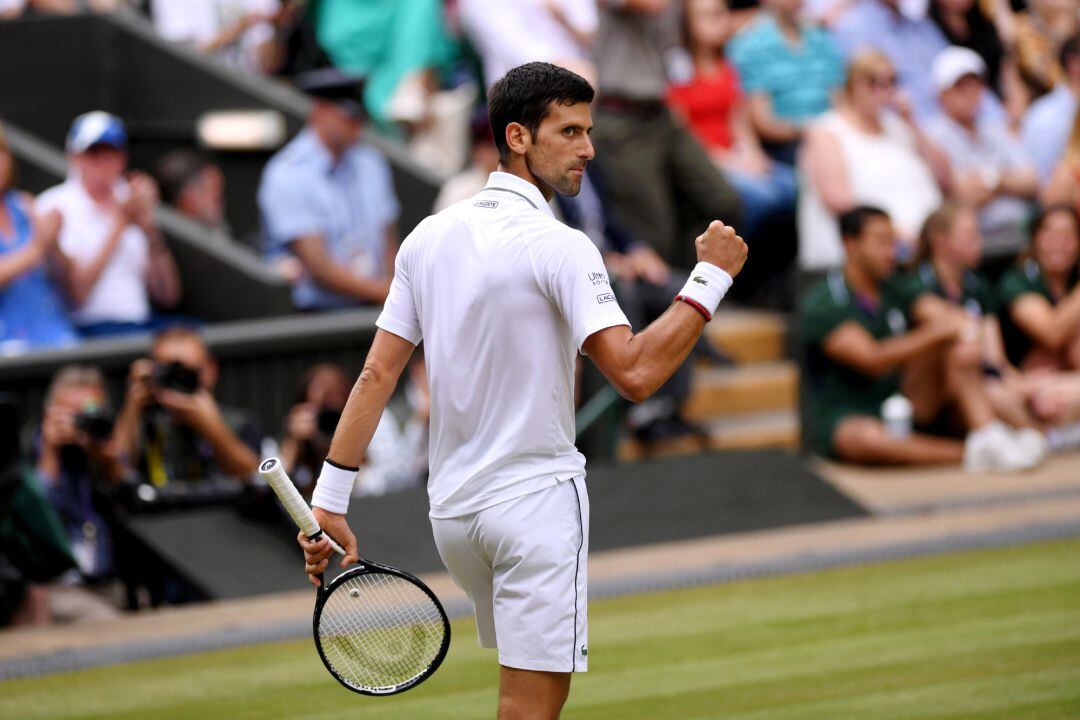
750	405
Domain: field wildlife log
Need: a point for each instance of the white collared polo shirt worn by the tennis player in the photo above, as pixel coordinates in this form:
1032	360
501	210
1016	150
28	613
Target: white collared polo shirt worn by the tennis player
504	296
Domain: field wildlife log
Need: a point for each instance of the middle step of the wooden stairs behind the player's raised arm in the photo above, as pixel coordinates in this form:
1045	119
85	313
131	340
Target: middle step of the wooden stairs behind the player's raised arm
724	391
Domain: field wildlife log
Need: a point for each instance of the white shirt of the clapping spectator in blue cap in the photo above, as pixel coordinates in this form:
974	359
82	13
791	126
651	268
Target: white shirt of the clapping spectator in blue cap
120	293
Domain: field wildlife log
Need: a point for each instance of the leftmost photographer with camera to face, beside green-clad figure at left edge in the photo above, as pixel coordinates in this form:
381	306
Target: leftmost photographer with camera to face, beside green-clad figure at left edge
77	466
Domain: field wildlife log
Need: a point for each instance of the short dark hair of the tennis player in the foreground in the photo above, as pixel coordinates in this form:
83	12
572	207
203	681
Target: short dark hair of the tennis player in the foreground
525	96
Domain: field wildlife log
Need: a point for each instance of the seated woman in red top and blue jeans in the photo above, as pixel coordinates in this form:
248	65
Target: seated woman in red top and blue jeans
717	113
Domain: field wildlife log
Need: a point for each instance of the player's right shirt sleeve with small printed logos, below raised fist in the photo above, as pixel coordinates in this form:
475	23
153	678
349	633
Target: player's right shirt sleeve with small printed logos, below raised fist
571	273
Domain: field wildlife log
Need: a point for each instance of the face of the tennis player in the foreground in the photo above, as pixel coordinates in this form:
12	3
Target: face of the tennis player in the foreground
562	147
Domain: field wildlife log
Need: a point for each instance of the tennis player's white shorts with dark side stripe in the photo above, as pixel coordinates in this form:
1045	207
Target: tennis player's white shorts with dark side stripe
523	564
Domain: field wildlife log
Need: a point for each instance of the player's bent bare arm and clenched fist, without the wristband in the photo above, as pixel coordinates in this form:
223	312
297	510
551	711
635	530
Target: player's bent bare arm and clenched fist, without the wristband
639	364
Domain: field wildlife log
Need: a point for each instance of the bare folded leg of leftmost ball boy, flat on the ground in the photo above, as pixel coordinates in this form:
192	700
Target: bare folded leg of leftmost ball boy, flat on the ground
865	440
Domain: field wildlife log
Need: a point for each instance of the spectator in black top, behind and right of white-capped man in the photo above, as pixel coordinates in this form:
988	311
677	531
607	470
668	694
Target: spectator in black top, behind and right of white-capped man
965	24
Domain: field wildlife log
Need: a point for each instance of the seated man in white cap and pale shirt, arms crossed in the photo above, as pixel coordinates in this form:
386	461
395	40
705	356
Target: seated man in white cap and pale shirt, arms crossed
990	169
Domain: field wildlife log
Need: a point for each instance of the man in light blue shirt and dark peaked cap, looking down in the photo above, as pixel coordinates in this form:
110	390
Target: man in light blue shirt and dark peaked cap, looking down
330	201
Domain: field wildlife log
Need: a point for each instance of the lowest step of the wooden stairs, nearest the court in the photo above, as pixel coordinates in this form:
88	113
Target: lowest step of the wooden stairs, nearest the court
750	431
